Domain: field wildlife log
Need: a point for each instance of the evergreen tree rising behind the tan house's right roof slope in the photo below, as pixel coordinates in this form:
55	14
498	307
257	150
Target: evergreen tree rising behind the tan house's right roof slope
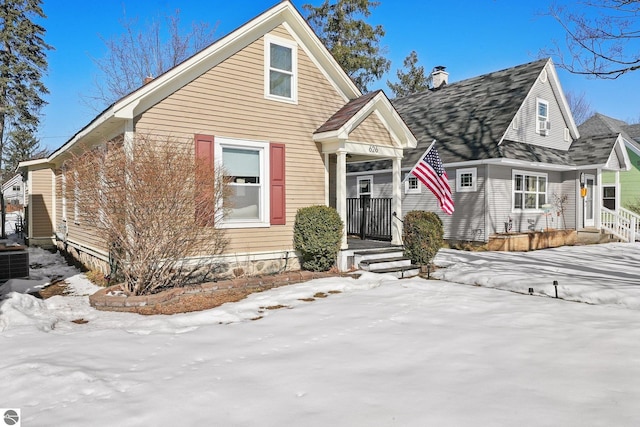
353	43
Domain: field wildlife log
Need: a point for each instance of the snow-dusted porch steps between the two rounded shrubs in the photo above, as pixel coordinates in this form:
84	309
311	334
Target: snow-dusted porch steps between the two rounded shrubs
386	261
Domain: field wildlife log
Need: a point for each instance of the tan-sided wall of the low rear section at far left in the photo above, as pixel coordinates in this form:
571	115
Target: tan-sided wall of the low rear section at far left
41	204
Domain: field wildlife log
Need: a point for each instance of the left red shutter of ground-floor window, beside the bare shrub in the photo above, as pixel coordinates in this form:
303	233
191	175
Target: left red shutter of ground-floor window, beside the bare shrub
204	177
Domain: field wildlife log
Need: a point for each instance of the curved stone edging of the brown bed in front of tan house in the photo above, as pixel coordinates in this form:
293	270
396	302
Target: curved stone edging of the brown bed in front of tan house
118	301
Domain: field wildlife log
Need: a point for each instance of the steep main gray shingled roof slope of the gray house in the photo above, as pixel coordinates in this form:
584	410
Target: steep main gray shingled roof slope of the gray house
467	118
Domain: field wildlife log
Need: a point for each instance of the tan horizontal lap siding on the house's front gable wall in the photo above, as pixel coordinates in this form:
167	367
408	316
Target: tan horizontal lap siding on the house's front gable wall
228	101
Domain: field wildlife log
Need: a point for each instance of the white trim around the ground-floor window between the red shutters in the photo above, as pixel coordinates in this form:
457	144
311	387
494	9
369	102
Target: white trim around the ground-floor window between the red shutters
263	147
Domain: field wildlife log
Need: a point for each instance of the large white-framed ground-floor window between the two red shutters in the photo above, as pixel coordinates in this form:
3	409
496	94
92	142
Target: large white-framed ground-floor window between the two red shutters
245	167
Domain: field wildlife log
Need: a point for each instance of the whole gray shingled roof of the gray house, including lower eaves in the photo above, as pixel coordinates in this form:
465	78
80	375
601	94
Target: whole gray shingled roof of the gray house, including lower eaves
468	119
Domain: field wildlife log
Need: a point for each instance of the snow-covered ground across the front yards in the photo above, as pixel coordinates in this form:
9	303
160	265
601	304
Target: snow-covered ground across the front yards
382	352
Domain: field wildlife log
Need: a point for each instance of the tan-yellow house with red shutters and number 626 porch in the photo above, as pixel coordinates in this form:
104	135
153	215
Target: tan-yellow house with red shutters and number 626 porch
300	114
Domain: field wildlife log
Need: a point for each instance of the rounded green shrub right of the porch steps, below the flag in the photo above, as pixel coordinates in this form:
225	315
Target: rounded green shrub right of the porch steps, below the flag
422	236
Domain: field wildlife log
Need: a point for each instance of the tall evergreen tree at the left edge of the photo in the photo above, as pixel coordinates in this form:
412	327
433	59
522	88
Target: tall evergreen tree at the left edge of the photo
23	62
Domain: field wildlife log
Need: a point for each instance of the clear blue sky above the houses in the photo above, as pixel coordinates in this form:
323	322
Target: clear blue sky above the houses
469	37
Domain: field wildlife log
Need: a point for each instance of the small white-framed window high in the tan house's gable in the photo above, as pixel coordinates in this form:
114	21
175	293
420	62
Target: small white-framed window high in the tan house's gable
280	69
